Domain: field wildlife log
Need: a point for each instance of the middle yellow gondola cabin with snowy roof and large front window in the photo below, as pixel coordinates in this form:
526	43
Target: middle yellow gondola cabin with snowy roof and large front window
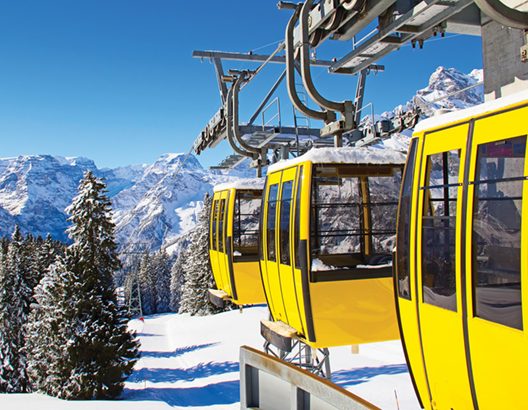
327	234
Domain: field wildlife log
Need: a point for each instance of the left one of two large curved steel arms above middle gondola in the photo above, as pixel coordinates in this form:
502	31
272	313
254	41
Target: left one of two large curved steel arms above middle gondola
326	116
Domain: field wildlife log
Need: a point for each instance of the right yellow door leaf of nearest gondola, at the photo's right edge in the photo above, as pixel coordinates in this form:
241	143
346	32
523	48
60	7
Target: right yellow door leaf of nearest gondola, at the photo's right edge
497	260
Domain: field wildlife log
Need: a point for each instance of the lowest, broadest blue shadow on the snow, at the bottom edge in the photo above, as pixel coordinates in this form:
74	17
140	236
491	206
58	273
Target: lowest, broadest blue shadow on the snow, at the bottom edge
227	392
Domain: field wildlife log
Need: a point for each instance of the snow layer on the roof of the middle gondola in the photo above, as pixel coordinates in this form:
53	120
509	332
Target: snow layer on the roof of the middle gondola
345	155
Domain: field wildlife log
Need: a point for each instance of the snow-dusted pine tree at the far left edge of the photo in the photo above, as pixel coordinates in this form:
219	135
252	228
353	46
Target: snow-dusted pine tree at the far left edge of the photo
15	299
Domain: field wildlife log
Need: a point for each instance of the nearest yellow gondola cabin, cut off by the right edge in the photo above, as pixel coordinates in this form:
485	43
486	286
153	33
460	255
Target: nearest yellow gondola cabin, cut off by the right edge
462	257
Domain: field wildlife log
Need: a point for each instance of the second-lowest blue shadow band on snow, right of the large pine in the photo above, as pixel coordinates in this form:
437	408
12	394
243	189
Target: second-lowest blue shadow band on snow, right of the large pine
173	375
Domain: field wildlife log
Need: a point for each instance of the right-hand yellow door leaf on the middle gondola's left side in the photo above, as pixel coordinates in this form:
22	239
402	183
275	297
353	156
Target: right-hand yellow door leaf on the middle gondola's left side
285	228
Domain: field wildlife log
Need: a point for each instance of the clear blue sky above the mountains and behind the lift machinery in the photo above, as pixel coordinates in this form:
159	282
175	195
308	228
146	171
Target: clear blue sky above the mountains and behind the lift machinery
113	80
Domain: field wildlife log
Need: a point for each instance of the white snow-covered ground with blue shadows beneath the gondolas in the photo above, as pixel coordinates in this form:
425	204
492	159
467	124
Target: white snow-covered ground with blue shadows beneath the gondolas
192	362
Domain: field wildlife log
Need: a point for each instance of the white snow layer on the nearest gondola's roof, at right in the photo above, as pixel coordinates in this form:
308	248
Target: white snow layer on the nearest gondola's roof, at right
476	111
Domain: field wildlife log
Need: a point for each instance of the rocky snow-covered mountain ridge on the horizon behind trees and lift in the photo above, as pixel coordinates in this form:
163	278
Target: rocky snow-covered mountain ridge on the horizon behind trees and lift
155	204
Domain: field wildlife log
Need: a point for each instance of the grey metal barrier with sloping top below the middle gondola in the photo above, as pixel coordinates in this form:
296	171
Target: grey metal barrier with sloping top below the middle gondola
268	382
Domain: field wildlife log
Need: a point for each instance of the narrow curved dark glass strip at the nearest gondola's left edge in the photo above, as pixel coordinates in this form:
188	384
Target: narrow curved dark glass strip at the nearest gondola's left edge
404	226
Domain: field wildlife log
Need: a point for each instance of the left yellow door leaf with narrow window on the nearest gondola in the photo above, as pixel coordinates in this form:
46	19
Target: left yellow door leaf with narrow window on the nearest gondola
438	267
